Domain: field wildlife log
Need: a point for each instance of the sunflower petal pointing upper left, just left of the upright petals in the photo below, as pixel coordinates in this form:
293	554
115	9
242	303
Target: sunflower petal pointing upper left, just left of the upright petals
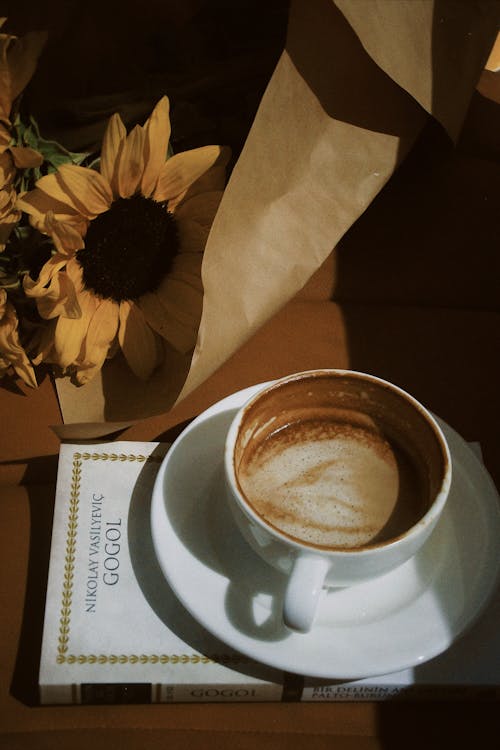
92	193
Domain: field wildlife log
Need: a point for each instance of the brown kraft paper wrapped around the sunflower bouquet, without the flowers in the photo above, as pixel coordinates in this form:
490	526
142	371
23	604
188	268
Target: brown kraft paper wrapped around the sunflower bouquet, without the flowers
351	92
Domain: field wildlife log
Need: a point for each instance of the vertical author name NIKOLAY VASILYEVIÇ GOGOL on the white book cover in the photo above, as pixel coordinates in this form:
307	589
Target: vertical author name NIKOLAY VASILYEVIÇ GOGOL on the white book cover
105	540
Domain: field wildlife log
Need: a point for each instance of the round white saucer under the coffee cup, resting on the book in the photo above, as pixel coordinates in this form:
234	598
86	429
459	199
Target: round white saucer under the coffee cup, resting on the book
397	621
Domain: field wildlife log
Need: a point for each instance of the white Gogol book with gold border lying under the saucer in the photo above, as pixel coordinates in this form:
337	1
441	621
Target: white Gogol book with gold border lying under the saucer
114	632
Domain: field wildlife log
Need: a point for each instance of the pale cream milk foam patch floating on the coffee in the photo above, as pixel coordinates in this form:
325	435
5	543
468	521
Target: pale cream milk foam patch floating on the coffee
328	485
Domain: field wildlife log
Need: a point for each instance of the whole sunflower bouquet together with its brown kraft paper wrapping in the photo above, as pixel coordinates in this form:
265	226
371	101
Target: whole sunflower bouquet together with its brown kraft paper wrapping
149	262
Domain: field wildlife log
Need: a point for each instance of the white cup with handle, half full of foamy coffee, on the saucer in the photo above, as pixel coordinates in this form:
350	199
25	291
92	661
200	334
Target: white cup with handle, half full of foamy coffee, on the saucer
334	477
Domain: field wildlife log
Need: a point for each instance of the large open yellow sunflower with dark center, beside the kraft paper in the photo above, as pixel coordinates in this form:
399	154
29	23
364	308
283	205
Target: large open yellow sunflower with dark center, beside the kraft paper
128	239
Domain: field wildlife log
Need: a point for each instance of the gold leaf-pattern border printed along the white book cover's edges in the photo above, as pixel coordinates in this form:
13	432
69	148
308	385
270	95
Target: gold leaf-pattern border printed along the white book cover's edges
63	657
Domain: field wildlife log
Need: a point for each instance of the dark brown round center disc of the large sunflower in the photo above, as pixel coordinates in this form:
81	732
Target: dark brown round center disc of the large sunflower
129	248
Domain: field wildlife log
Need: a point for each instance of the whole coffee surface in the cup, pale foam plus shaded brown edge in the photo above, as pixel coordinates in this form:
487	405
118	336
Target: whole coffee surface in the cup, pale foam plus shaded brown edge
332	478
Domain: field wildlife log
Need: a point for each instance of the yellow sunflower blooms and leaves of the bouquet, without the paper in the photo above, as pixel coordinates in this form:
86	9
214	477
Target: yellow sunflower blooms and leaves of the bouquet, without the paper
100	252
